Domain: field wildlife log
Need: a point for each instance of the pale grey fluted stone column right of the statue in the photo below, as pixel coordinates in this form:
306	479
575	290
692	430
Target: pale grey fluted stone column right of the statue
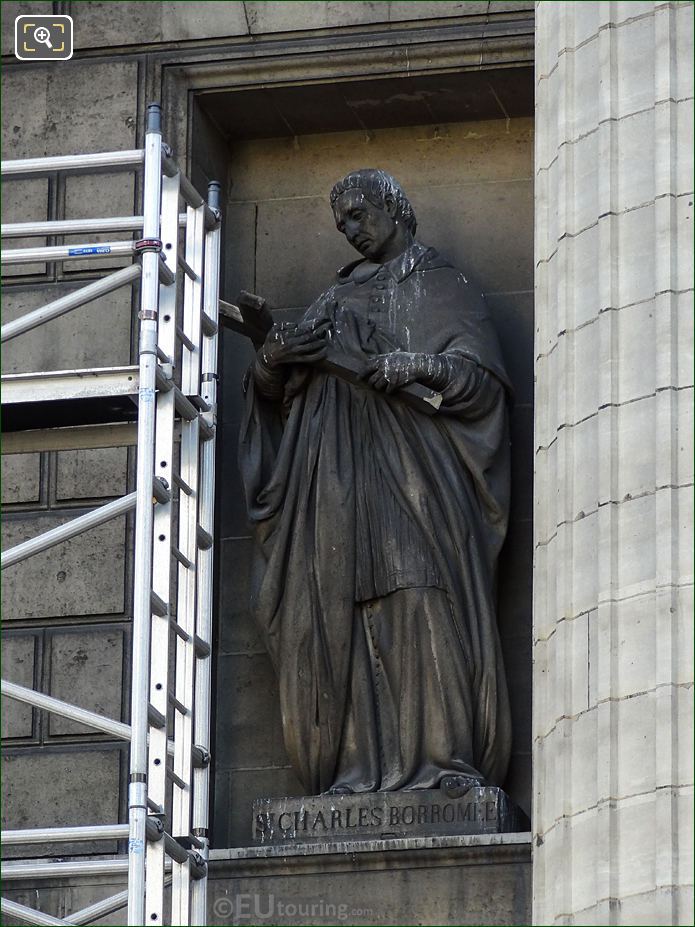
613	644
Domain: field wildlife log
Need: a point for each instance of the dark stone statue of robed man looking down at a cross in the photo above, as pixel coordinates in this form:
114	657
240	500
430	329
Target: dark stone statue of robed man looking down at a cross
378	526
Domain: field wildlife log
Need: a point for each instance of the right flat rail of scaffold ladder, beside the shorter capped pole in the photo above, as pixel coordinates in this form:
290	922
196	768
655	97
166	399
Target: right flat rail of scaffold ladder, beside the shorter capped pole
188	523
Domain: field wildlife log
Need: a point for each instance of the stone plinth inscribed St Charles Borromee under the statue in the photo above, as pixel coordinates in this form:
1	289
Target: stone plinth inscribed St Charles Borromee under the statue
385	816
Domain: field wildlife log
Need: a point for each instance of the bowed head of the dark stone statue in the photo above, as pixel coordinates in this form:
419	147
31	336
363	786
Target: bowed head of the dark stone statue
373	213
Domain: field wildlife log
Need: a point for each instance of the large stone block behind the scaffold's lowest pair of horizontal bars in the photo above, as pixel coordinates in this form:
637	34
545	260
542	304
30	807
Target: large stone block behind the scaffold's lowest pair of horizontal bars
59	788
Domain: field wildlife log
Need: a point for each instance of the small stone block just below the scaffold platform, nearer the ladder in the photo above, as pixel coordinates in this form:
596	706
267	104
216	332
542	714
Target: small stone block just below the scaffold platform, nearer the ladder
91	474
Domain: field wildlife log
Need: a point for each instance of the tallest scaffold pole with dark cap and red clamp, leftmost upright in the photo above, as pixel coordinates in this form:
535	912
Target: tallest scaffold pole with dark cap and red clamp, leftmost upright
142	599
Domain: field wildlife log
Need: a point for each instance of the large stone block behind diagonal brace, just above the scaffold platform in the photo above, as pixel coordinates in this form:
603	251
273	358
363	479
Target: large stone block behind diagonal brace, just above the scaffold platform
94	335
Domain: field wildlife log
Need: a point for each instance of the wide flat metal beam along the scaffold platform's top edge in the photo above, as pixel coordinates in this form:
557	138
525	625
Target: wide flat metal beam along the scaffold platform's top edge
89	383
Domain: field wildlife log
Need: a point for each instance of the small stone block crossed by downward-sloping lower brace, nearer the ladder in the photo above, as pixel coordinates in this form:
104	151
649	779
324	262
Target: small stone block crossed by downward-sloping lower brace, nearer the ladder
86	669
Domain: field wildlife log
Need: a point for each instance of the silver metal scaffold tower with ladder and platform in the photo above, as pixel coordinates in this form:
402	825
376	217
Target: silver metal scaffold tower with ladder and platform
174	386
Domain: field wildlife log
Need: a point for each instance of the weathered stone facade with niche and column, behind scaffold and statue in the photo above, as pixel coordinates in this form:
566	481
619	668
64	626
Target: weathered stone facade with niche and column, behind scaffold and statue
612	569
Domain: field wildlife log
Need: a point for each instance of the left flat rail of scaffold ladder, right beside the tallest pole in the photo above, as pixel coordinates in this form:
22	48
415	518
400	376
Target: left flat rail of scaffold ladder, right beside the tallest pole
161	565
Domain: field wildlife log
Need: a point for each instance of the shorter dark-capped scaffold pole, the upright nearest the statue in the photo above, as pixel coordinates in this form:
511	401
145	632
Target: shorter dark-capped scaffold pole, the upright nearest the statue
201	775
